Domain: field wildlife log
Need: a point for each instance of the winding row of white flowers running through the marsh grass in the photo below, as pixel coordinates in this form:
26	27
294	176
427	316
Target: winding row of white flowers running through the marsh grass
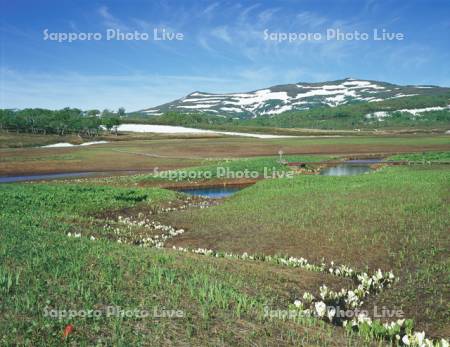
325	306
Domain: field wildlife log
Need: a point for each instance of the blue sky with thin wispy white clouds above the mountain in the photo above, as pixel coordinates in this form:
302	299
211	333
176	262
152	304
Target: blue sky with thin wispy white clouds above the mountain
223	48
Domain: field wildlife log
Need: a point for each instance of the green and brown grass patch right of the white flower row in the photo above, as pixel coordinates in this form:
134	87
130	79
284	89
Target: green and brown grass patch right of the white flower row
396	219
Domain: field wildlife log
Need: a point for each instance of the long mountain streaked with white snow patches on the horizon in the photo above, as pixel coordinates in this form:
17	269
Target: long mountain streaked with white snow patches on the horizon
289	97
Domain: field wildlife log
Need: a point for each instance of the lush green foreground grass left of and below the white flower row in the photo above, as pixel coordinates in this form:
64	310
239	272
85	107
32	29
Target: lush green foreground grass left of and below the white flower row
43	269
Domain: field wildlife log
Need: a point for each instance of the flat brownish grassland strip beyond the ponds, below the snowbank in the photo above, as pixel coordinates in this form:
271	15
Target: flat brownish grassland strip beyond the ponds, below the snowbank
173	153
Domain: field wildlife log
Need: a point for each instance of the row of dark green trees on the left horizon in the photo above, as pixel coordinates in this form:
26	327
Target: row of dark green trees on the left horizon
60	122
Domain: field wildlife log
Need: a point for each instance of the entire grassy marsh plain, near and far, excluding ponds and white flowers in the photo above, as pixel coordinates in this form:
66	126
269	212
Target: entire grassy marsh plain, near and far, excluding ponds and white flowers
394	219
